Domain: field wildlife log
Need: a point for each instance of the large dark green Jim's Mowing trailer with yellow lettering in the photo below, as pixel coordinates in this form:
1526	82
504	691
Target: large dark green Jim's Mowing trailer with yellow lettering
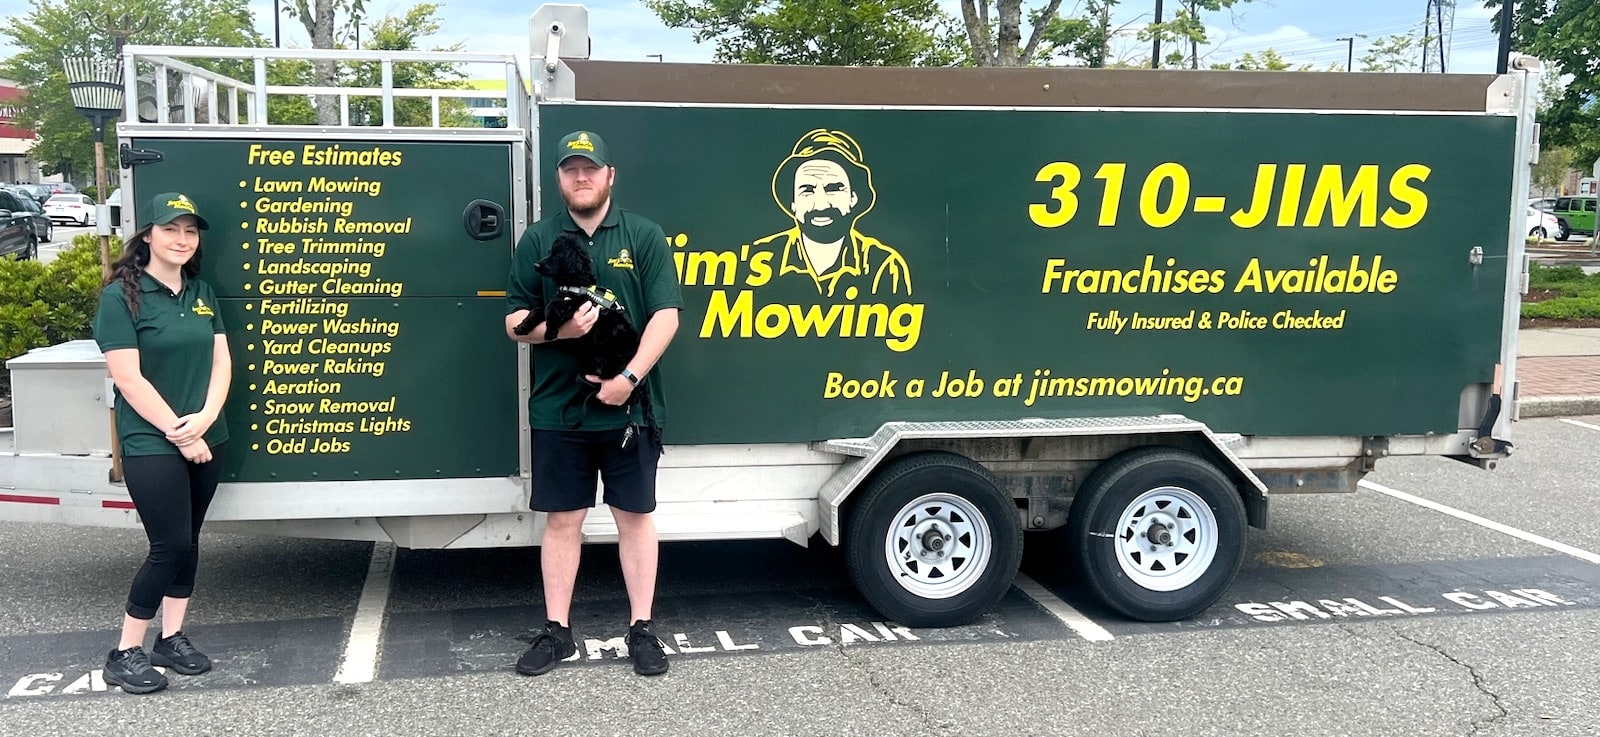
927	309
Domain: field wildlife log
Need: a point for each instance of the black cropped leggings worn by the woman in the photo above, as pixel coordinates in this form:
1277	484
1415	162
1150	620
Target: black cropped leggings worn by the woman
172	496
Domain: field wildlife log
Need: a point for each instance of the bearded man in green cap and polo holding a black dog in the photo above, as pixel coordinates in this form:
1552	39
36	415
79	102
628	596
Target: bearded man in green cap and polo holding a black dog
582	431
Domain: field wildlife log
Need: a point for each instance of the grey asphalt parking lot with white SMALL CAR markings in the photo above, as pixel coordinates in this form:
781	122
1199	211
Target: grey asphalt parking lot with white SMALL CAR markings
1438	600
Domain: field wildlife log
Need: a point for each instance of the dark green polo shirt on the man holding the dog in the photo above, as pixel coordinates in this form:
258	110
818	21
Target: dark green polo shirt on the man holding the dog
633	261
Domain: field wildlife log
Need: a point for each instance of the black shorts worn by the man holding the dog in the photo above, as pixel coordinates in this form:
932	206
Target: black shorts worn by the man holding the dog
566	464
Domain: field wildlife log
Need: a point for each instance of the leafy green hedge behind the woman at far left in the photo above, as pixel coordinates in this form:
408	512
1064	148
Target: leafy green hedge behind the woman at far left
47	305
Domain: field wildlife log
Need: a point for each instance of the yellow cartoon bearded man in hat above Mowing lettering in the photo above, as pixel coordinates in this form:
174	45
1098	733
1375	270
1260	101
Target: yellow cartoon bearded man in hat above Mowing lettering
826	188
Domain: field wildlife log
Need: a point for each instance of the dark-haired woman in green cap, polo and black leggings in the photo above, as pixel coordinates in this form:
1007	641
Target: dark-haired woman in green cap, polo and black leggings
167	354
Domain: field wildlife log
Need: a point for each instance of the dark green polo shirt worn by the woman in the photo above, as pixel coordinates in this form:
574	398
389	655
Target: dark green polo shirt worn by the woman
177	338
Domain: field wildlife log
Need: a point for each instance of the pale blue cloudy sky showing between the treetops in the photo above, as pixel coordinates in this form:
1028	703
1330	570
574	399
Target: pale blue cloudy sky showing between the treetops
1303	31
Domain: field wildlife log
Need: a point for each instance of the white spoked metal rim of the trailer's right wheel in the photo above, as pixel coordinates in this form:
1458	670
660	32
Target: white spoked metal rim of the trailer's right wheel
1167	540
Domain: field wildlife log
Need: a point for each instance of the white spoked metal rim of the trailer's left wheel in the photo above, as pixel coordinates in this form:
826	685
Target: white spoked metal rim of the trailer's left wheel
938	546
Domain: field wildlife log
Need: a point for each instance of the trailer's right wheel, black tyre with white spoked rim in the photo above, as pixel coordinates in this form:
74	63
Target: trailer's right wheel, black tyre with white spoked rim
1158	533
